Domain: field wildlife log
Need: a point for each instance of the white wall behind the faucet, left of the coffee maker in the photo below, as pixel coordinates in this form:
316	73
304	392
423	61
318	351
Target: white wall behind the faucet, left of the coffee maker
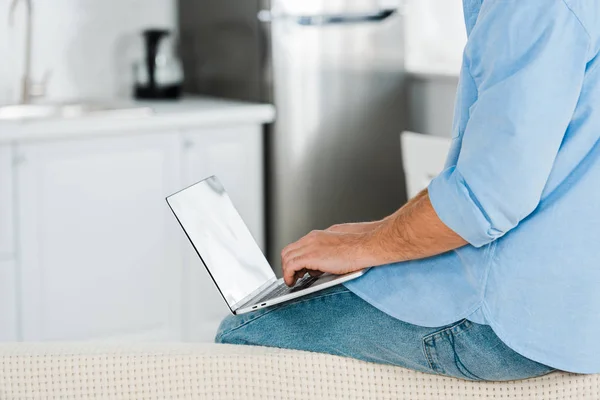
87	44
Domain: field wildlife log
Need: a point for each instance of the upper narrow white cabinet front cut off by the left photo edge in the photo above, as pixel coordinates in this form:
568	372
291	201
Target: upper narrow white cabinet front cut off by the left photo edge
6	204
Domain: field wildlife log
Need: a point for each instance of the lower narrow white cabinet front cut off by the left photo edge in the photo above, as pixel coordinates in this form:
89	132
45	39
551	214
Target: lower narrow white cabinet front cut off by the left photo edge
8	302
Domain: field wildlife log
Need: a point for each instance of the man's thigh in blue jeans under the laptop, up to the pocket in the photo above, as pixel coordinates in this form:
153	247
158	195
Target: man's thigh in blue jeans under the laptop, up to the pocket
333	321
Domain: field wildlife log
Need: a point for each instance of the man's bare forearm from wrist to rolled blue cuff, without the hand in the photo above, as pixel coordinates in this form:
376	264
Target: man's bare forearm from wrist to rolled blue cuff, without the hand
413	232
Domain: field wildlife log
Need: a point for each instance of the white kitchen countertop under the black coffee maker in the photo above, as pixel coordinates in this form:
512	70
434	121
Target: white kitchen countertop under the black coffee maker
190	112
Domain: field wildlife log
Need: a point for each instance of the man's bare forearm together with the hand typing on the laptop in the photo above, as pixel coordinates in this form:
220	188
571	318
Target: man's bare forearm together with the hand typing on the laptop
414	231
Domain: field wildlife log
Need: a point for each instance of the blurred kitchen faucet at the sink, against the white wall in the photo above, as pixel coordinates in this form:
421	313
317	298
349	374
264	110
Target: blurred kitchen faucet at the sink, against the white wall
28	89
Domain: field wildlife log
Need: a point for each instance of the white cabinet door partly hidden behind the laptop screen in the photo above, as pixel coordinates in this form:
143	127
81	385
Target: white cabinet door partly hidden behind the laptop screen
235	155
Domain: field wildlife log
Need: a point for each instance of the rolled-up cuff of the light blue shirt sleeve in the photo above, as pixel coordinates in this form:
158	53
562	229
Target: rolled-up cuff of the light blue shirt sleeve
457	208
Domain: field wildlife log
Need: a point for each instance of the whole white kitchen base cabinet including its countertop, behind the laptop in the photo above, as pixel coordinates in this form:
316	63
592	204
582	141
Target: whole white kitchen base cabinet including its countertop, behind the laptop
89	249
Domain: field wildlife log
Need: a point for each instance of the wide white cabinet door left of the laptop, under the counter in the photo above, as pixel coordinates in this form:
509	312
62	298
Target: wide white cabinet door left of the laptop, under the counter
99	248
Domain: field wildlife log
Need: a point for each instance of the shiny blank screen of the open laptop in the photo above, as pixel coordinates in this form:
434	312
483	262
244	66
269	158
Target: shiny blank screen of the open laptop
220	237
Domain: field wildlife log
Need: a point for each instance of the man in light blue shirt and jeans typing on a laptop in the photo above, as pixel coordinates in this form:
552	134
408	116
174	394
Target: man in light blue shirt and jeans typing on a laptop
493	273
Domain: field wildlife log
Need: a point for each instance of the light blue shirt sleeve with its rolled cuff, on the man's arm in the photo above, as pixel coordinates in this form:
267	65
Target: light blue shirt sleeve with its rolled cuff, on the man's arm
528	62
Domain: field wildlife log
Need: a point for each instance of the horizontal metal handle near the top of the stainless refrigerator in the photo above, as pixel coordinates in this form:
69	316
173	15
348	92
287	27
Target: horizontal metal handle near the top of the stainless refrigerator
328	19
